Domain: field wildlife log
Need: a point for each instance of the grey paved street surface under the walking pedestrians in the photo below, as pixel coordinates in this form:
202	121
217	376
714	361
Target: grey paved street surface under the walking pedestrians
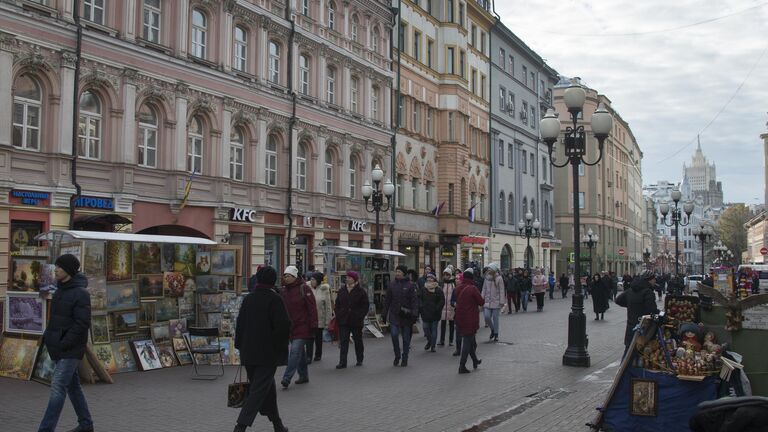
521	386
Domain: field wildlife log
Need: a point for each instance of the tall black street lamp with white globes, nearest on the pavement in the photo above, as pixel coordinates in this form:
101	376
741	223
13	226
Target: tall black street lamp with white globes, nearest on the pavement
575	142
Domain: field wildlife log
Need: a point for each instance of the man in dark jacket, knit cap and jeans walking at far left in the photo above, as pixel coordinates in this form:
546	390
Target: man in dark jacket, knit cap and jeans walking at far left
66	338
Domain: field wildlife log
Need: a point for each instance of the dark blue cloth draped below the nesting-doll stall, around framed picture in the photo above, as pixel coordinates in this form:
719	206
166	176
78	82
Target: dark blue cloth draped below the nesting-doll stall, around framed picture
677	401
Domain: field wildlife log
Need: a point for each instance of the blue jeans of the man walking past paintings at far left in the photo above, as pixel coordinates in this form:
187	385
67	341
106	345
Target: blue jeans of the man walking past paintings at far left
65	382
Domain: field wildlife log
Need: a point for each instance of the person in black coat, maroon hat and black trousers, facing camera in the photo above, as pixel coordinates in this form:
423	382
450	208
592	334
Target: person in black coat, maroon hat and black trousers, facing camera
351	309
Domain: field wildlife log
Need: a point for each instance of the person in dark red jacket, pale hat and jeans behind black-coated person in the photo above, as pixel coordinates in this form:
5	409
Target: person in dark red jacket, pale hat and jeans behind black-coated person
300	303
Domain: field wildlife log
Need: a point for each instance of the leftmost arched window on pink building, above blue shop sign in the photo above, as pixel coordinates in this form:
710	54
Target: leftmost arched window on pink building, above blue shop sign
27	100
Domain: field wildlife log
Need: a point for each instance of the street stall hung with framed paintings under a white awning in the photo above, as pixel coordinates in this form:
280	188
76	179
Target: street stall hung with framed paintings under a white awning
145	291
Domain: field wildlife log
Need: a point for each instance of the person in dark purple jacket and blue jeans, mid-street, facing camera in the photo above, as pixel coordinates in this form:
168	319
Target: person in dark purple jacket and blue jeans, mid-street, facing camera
401	308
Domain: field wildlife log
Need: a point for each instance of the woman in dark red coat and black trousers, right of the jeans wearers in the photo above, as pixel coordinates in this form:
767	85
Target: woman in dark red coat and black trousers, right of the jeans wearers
467	319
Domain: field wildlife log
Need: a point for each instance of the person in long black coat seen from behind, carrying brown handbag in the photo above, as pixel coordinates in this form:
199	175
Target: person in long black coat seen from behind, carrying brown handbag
261	335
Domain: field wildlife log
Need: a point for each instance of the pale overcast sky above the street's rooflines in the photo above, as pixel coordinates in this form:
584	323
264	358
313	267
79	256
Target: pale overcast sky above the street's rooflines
668	67
